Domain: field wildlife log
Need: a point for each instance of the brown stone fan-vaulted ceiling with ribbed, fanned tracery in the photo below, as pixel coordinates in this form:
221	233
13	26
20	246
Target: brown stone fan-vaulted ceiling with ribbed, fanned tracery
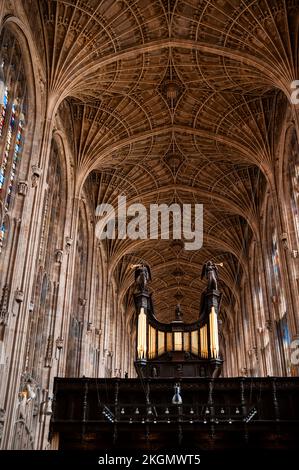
173	101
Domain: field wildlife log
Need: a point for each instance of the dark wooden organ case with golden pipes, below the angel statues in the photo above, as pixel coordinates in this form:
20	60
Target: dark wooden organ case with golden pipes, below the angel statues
178	349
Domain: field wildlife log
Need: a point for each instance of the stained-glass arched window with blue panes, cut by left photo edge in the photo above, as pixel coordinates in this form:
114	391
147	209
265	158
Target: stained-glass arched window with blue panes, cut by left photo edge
13	98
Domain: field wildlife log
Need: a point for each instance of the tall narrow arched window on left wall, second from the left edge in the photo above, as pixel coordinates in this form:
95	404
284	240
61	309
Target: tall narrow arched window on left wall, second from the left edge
51	242
